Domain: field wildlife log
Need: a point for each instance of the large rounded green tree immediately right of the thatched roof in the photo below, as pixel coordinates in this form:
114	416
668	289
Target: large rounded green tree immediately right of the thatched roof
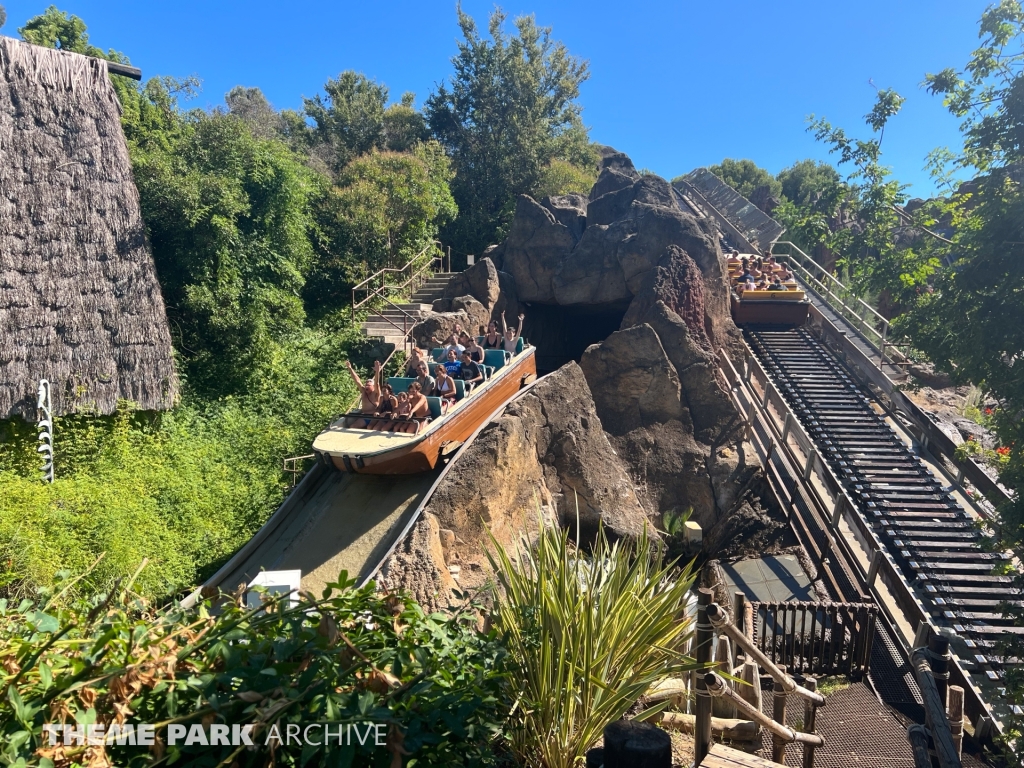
228	217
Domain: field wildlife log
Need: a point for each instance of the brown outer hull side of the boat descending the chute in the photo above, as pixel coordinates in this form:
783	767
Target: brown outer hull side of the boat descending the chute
423	455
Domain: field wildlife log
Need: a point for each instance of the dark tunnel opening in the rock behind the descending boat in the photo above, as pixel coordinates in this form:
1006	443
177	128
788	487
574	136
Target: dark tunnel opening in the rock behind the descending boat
563	333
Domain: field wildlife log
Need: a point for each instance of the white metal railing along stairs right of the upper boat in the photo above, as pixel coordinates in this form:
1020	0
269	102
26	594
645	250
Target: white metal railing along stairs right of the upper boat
862	316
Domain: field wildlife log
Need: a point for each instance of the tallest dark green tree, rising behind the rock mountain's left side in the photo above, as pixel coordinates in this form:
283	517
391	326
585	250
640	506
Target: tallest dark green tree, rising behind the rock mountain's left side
509	111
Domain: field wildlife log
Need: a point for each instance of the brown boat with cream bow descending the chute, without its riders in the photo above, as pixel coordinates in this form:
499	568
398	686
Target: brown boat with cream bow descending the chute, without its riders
353	448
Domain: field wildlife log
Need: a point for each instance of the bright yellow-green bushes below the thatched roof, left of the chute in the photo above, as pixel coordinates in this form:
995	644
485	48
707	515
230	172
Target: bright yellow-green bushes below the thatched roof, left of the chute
184	489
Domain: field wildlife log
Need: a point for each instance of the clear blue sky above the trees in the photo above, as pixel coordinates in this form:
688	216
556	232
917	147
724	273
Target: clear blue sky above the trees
676	86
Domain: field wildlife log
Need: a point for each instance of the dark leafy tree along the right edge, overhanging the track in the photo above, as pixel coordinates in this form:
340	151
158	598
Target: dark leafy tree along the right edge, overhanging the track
971	325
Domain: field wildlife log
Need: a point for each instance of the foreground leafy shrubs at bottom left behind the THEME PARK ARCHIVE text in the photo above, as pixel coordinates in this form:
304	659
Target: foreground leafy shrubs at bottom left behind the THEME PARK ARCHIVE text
437	686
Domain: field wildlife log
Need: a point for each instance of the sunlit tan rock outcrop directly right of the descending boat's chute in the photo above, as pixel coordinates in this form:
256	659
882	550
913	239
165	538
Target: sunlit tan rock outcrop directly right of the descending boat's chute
546	457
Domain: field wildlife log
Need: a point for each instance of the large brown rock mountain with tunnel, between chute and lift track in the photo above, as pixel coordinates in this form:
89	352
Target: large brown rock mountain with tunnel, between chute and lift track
636	290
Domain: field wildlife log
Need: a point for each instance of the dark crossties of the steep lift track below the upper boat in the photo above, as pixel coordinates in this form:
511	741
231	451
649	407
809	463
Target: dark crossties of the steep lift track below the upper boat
933	540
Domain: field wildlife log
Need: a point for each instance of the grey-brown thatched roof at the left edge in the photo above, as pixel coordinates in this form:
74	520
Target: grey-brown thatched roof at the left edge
80	305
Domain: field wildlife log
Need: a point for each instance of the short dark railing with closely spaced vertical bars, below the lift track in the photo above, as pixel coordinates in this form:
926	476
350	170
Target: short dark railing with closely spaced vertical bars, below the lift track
817	638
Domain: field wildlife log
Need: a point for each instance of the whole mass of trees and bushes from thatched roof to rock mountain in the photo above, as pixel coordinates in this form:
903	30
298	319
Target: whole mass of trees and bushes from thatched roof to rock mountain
261	223
